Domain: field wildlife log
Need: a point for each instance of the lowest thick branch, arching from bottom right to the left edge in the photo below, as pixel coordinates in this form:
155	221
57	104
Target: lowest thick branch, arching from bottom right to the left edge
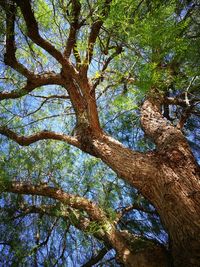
127	253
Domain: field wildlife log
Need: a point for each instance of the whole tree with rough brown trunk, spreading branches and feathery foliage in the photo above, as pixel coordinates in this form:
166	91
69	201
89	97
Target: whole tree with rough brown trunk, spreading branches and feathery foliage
88	62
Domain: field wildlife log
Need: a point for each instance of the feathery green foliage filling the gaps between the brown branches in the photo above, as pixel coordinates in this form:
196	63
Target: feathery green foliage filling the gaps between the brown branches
159	43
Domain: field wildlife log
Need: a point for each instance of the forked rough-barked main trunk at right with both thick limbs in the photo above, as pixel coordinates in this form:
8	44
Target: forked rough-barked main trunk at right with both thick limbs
168	178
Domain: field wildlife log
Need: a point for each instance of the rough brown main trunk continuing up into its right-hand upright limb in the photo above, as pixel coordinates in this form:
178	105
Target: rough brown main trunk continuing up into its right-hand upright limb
176	186
